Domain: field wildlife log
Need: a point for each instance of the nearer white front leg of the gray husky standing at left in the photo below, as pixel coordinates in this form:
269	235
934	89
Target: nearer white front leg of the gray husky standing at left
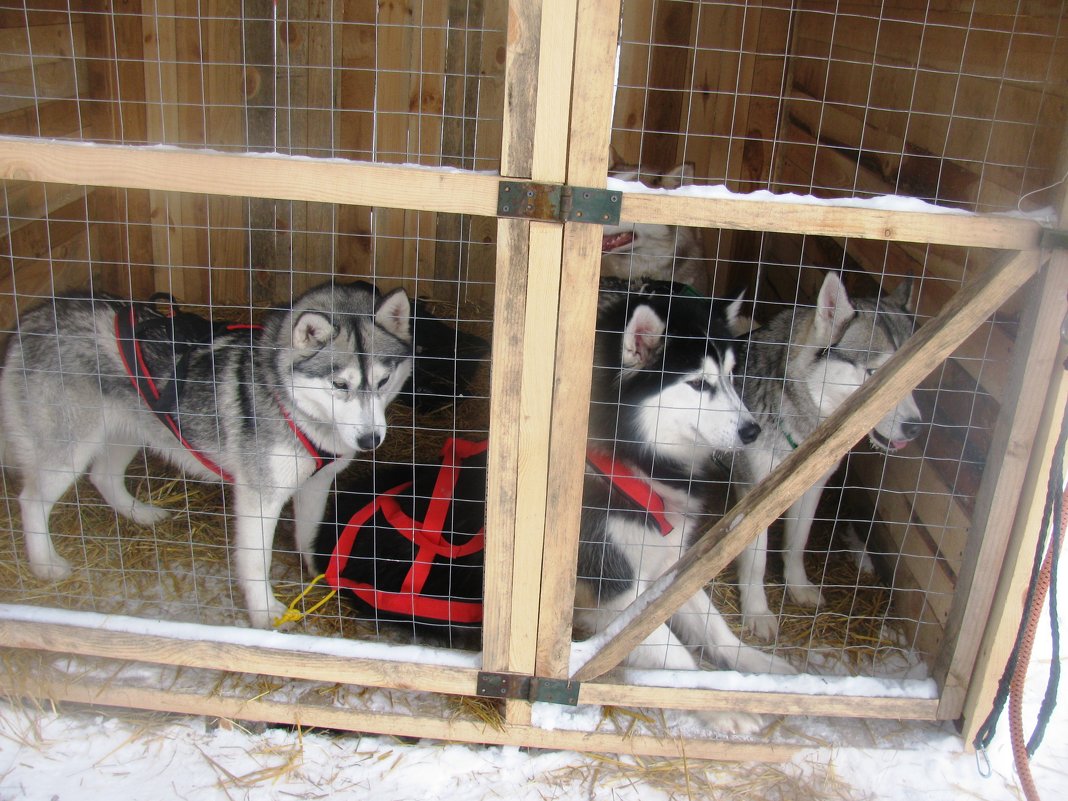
257	513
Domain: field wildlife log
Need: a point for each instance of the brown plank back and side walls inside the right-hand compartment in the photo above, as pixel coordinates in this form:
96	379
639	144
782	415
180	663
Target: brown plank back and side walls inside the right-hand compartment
959	106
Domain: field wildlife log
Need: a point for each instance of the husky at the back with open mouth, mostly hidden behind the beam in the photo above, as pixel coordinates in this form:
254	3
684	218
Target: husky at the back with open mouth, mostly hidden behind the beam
646	250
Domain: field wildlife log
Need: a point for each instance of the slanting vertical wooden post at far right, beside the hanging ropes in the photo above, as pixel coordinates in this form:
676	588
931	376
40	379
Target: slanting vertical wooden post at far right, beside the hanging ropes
1006	508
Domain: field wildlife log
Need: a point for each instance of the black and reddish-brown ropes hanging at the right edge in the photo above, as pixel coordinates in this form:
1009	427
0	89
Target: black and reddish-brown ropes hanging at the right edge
1043	585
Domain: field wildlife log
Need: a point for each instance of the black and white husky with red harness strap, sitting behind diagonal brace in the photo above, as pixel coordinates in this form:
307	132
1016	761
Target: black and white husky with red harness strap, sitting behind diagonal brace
664	404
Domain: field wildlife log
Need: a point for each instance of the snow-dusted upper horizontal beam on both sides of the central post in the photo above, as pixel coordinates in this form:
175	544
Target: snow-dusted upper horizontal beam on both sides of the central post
425	190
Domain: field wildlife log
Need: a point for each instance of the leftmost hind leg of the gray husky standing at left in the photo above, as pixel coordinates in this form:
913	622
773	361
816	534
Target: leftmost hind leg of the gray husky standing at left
42	488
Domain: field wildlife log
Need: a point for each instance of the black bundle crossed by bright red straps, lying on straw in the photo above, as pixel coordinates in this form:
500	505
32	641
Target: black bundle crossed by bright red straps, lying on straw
415	553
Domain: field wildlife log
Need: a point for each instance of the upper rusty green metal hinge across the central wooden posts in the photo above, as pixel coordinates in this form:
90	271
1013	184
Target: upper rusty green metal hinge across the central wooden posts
558	203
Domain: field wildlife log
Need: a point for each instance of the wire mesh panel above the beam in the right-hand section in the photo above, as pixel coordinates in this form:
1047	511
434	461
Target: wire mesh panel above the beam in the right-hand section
956	107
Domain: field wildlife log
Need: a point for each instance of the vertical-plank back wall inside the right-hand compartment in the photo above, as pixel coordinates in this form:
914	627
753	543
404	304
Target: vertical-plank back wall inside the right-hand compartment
699	84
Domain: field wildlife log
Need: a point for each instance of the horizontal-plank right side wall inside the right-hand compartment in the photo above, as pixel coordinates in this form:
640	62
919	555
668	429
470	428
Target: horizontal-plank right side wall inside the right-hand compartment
959	109
